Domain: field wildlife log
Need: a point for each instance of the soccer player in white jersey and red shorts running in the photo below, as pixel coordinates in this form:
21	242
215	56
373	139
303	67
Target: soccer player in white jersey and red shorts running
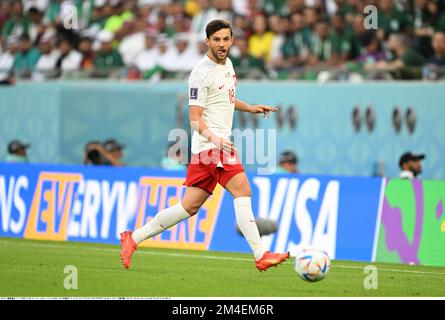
212	102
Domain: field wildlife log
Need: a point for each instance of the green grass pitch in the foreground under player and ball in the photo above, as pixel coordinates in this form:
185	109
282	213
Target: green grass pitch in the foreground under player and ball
36	268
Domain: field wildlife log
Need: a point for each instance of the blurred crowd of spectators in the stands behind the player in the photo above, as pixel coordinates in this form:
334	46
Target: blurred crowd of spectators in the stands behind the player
277	39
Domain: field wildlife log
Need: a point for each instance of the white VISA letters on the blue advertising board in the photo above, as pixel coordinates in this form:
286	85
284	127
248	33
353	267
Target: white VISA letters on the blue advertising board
289	206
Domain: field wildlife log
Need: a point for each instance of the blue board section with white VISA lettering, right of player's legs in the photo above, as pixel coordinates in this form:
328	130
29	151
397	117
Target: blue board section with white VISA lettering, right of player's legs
336	214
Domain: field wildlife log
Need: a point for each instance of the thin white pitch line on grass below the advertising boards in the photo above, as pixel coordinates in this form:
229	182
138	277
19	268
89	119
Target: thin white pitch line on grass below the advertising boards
210	257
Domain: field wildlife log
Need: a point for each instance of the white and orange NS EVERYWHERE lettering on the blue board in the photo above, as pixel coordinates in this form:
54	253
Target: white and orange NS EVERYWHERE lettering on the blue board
69	206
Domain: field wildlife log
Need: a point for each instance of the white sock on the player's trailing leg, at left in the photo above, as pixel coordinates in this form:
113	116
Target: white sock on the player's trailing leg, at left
162	221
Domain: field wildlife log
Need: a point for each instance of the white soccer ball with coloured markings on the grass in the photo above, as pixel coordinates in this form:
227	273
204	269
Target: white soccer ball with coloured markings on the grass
312	264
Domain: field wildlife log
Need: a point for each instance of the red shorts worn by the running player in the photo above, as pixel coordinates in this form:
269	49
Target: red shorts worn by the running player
210	167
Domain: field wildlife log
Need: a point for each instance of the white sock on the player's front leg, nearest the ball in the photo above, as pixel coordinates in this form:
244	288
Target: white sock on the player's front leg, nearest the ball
247	225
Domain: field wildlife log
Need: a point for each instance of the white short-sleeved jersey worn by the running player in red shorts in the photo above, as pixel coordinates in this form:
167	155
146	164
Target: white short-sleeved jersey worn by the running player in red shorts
213	87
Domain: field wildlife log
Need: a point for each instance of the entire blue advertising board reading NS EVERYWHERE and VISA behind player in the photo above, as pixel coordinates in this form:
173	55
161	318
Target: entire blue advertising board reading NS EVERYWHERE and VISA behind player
95	204
